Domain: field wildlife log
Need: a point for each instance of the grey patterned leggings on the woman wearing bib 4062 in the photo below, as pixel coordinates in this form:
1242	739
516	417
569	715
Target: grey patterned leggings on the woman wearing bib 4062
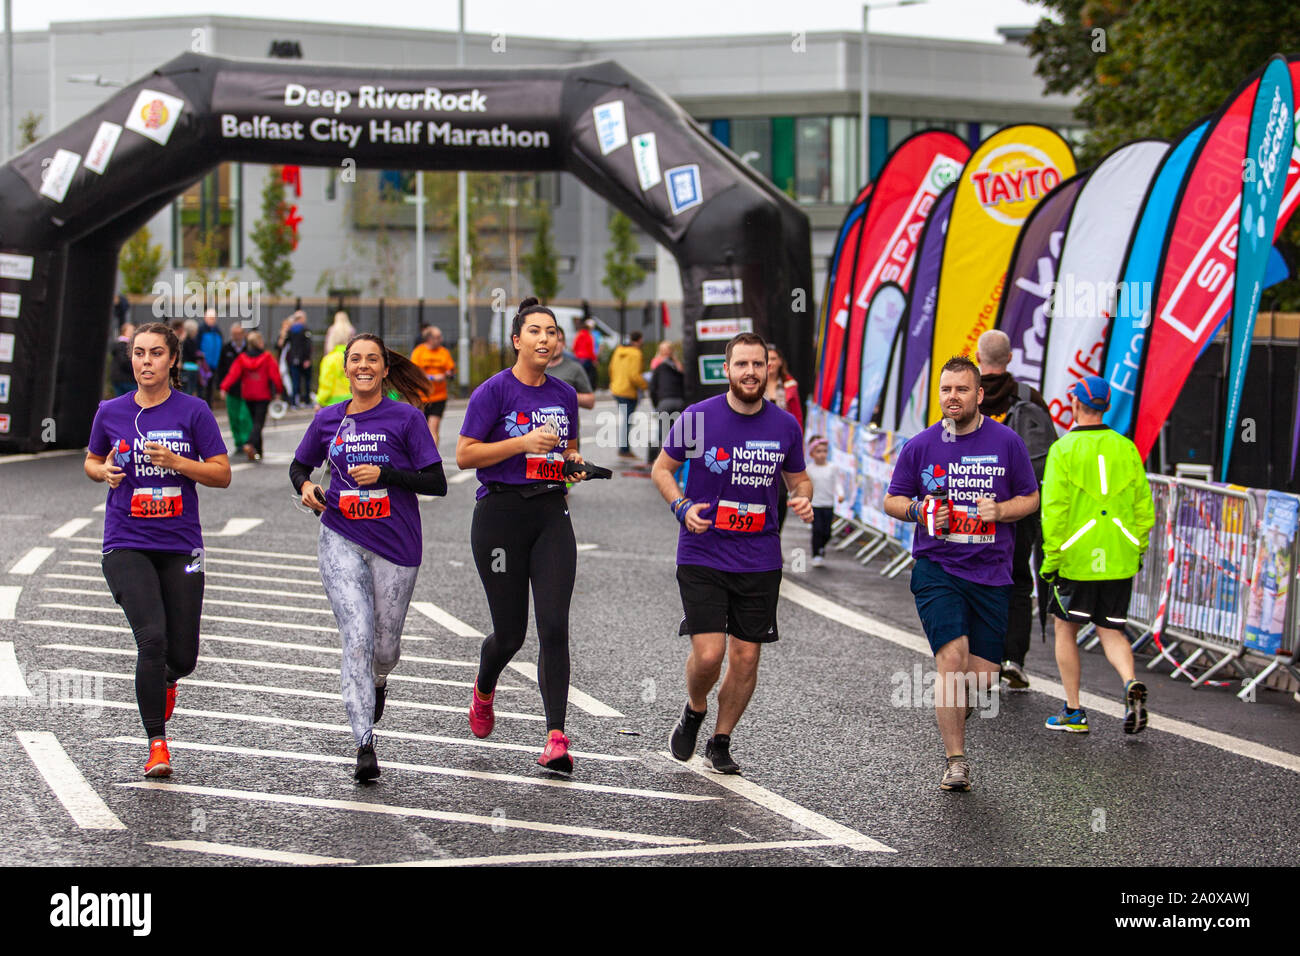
370	598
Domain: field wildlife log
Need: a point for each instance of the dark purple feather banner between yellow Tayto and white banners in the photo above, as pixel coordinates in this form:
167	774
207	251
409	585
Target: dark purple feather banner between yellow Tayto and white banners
1022	313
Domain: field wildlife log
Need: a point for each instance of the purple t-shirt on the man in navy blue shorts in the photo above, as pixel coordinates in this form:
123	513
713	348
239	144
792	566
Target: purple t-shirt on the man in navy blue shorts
990	462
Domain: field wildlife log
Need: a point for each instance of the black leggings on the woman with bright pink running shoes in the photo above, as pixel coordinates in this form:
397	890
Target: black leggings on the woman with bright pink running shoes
518	540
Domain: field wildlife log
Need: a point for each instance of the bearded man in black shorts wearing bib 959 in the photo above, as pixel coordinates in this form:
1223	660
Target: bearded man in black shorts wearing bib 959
730	547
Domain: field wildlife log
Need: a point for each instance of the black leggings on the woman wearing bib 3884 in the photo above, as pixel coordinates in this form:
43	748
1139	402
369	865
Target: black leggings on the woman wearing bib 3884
163	604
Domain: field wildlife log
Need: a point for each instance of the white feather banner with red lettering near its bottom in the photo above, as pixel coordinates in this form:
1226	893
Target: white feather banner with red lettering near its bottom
1093	258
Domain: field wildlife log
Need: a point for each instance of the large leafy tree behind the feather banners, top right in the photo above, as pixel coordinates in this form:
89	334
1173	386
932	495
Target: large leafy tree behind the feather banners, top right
1158	67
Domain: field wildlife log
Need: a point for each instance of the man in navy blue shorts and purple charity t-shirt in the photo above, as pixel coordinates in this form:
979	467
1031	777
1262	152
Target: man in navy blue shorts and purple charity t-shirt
967	481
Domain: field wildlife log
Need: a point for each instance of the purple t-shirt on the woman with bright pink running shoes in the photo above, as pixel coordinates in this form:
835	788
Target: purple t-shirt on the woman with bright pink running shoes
505	408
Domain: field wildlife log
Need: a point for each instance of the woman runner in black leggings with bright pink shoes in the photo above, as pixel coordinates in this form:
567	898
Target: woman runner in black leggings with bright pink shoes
518	434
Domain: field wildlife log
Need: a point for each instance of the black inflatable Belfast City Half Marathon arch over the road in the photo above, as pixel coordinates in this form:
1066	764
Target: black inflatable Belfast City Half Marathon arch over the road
70	202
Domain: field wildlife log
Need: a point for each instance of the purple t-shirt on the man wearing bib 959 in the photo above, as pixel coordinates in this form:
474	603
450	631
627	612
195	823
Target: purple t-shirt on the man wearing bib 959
736	462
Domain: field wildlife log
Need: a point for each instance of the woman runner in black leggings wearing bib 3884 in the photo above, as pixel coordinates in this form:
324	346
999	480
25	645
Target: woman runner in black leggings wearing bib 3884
162	443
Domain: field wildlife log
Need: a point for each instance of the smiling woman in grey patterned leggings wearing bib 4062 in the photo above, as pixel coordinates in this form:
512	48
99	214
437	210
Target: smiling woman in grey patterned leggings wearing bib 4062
382	457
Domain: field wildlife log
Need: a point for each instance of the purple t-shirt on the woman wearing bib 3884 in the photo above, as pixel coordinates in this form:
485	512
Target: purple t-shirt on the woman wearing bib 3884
154	509
